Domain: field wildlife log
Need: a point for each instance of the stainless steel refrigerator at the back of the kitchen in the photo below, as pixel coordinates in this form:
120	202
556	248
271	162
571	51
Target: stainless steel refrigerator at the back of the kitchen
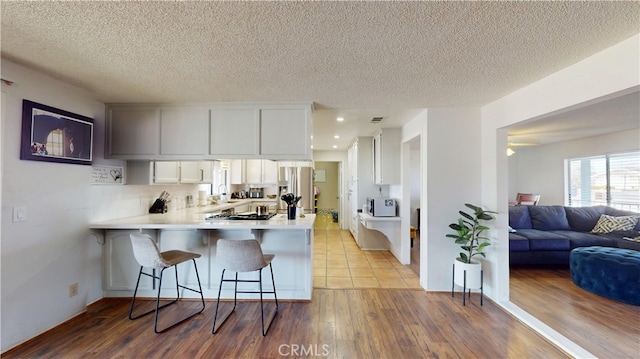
299	181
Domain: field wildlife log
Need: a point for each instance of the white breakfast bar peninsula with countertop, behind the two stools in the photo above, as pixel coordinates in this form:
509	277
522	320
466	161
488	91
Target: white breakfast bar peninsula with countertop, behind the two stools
196	230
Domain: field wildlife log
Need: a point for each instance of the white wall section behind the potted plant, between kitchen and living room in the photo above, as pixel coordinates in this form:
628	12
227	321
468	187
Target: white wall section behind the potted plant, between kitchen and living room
450	172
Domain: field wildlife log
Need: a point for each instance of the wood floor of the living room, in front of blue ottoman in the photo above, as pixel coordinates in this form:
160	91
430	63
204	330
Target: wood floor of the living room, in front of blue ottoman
604	327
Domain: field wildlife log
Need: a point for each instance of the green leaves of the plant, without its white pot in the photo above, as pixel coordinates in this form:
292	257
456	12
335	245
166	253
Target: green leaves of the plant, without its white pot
469	232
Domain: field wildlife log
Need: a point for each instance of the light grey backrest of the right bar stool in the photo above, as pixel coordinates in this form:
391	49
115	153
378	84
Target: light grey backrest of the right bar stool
240	255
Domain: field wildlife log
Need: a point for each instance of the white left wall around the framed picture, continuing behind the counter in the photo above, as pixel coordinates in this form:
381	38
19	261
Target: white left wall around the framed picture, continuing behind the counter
42	256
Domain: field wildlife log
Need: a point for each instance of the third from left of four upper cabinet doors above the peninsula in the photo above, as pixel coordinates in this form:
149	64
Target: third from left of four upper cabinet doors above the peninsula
234	131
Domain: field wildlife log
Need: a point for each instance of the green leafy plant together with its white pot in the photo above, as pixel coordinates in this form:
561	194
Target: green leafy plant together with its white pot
468	234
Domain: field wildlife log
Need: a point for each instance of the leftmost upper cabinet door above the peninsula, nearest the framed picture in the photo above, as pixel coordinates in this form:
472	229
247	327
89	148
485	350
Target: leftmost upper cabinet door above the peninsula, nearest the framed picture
132	132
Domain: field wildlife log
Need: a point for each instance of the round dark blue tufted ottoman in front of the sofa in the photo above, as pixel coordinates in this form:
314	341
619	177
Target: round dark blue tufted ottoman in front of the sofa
610	272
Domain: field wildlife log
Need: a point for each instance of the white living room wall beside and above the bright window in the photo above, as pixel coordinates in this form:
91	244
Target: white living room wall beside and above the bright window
540	169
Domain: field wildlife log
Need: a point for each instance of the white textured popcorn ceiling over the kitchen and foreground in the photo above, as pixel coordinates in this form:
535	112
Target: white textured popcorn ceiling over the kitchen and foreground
354	59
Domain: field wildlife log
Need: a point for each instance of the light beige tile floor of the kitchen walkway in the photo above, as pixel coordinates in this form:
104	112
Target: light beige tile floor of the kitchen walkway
338	262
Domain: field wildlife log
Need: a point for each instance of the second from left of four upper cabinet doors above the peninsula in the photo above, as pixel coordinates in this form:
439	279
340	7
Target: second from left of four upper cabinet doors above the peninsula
184	130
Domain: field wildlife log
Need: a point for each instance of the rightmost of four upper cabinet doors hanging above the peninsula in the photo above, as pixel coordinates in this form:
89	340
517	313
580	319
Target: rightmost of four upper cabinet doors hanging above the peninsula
286	132
